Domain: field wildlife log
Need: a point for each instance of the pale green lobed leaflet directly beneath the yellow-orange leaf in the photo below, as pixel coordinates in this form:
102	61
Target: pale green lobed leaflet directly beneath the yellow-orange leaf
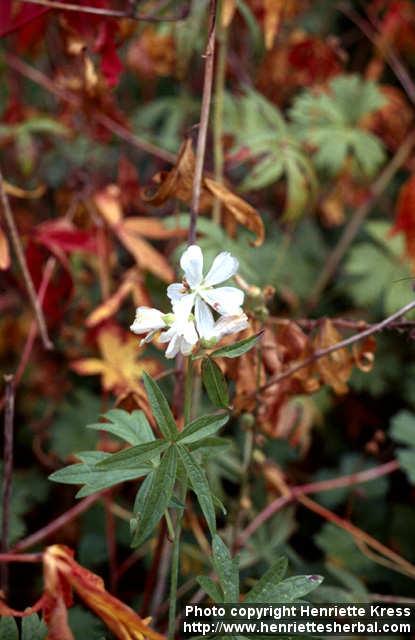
133	427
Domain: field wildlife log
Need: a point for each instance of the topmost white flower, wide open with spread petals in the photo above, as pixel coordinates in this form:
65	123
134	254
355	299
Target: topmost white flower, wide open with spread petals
200	292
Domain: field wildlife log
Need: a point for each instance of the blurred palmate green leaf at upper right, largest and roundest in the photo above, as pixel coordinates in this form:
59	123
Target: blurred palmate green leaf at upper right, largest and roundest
330	122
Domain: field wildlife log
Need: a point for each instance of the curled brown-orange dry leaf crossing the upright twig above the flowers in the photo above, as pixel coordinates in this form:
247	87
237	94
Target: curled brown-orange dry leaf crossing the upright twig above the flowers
178	183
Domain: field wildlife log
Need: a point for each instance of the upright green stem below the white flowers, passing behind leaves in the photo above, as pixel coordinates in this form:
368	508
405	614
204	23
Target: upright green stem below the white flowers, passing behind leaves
175	559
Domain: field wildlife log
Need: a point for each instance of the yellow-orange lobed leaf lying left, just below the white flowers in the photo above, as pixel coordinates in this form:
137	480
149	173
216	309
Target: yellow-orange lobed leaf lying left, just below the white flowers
119	366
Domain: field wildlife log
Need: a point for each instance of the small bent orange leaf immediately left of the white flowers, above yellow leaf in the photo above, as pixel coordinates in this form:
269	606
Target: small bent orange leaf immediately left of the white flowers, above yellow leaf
132	284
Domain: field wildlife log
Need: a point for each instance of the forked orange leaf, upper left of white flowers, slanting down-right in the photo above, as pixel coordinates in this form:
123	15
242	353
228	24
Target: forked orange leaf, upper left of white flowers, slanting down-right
132	232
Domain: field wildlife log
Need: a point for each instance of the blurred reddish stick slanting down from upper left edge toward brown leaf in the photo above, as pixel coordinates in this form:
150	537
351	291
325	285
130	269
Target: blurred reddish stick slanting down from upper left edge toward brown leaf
111	125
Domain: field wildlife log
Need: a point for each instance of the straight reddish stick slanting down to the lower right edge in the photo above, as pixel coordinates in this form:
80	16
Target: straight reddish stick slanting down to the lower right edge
406	567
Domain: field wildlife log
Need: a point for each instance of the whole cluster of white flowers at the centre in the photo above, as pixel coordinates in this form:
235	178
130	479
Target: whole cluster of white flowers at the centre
192	302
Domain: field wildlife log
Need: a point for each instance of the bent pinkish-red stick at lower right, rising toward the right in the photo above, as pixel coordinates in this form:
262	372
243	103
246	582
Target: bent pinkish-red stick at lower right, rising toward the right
315	487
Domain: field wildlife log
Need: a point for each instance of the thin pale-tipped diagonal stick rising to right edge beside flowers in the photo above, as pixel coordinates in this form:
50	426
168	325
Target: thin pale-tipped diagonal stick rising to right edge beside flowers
321	353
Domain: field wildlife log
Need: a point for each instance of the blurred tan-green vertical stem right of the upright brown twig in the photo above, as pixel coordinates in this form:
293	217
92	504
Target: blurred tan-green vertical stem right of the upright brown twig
220	77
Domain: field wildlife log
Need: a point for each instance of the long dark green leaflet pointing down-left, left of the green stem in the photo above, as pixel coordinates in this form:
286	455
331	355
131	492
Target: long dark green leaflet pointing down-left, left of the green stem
157	497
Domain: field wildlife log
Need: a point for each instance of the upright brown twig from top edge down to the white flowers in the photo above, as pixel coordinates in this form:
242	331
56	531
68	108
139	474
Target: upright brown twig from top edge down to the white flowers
204	122
